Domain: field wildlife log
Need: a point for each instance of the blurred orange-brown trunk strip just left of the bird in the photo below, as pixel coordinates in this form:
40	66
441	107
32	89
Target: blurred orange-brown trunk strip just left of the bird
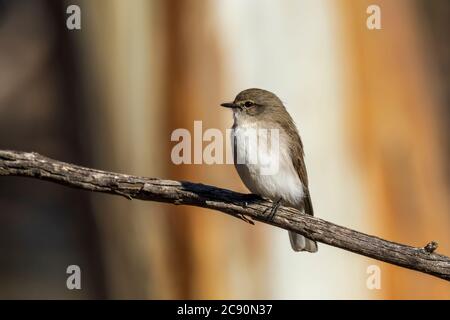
209	248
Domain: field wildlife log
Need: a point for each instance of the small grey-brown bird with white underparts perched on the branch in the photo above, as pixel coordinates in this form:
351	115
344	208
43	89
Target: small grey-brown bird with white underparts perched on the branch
256	109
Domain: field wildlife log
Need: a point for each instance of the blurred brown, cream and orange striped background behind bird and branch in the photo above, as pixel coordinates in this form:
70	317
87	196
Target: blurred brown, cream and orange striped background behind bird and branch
372	107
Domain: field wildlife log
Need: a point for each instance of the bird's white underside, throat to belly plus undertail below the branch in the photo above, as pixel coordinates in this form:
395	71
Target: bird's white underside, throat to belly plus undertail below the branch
283	183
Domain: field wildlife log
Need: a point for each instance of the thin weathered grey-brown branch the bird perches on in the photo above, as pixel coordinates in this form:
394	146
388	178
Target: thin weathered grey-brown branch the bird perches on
14	163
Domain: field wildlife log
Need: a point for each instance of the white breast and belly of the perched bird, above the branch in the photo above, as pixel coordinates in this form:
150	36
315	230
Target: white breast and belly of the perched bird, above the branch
283	182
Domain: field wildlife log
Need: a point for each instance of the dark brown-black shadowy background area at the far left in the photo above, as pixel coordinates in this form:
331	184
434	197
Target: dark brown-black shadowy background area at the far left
44	228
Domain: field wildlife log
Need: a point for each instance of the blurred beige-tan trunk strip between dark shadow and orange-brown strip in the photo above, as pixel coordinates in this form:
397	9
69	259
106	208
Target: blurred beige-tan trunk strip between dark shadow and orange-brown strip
123	79
